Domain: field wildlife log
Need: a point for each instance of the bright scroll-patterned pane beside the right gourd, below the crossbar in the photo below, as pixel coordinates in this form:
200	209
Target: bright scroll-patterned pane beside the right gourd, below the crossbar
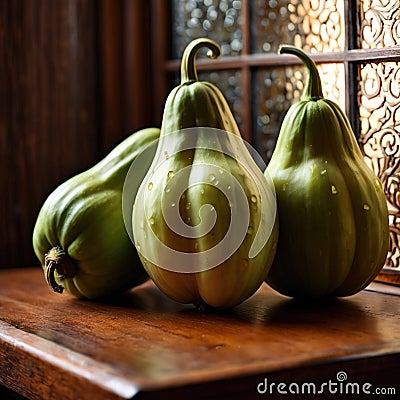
380	138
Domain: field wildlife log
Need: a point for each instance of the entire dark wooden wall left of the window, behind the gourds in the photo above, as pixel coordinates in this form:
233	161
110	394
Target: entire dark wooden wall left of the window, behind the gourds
75	79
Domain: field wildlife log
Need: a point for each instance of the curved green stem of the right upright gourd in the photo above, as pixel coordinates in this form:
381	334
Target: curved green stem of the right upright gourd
313	88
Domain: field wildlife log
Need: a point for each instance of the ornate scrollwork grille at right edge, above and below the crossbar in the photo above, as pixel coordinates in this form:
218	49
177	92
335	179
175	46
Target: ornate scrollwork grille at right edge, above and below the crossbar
379	109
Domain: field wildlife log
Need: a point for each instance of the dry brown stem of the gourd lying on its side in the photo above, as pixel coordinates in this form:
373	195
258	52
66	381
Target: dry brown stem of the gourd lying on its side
57	260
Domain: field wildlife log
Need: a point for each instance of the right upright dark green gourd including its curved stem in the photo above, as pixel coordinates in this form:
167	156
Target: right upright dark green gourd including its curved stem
334	232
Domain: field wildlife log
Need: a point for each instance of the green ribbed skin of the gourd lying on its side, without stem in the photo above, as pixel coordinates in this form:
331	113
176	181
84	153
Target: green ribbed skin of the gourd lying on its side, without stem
83	216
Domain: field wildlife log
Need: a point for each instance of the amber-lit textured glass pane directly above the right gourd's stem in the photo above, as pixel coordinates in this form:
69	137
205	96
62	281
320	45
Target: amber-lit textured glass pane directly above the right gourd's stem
314	25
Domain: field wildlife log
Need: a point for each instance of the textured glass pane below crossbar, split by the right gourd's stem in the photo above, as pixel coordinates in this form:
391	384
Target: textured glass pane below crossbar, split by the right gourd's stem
276	89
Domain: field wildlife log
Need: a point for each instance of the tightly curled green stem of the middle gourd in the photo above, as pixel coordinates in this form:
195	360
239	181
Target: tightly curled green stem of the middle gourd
188	64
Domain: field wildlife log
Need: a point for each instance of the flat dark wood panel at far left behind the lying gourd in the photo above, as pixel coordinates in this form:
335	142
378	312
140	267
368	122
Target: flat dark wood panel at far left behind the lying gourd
48	110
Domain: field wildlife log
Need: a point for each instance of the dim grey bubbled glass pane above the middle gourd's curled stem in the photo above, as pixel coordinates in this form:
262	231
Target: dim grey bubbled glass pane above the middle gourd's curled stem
219	20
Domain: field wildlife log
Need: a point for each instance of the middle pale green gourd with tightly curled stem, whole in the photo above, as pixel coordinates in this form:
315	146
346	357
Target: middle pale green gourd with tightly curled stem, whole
201	170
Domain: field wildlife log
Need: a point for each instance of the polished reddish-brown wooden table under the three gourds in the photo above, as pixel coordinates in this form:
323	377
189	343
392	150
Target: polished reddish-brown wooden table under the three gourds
142	345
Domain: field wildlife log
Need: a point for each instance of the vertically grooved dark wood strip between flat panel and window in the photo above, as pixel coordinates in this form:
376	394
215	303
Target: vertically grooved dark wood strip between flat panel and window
126	73
